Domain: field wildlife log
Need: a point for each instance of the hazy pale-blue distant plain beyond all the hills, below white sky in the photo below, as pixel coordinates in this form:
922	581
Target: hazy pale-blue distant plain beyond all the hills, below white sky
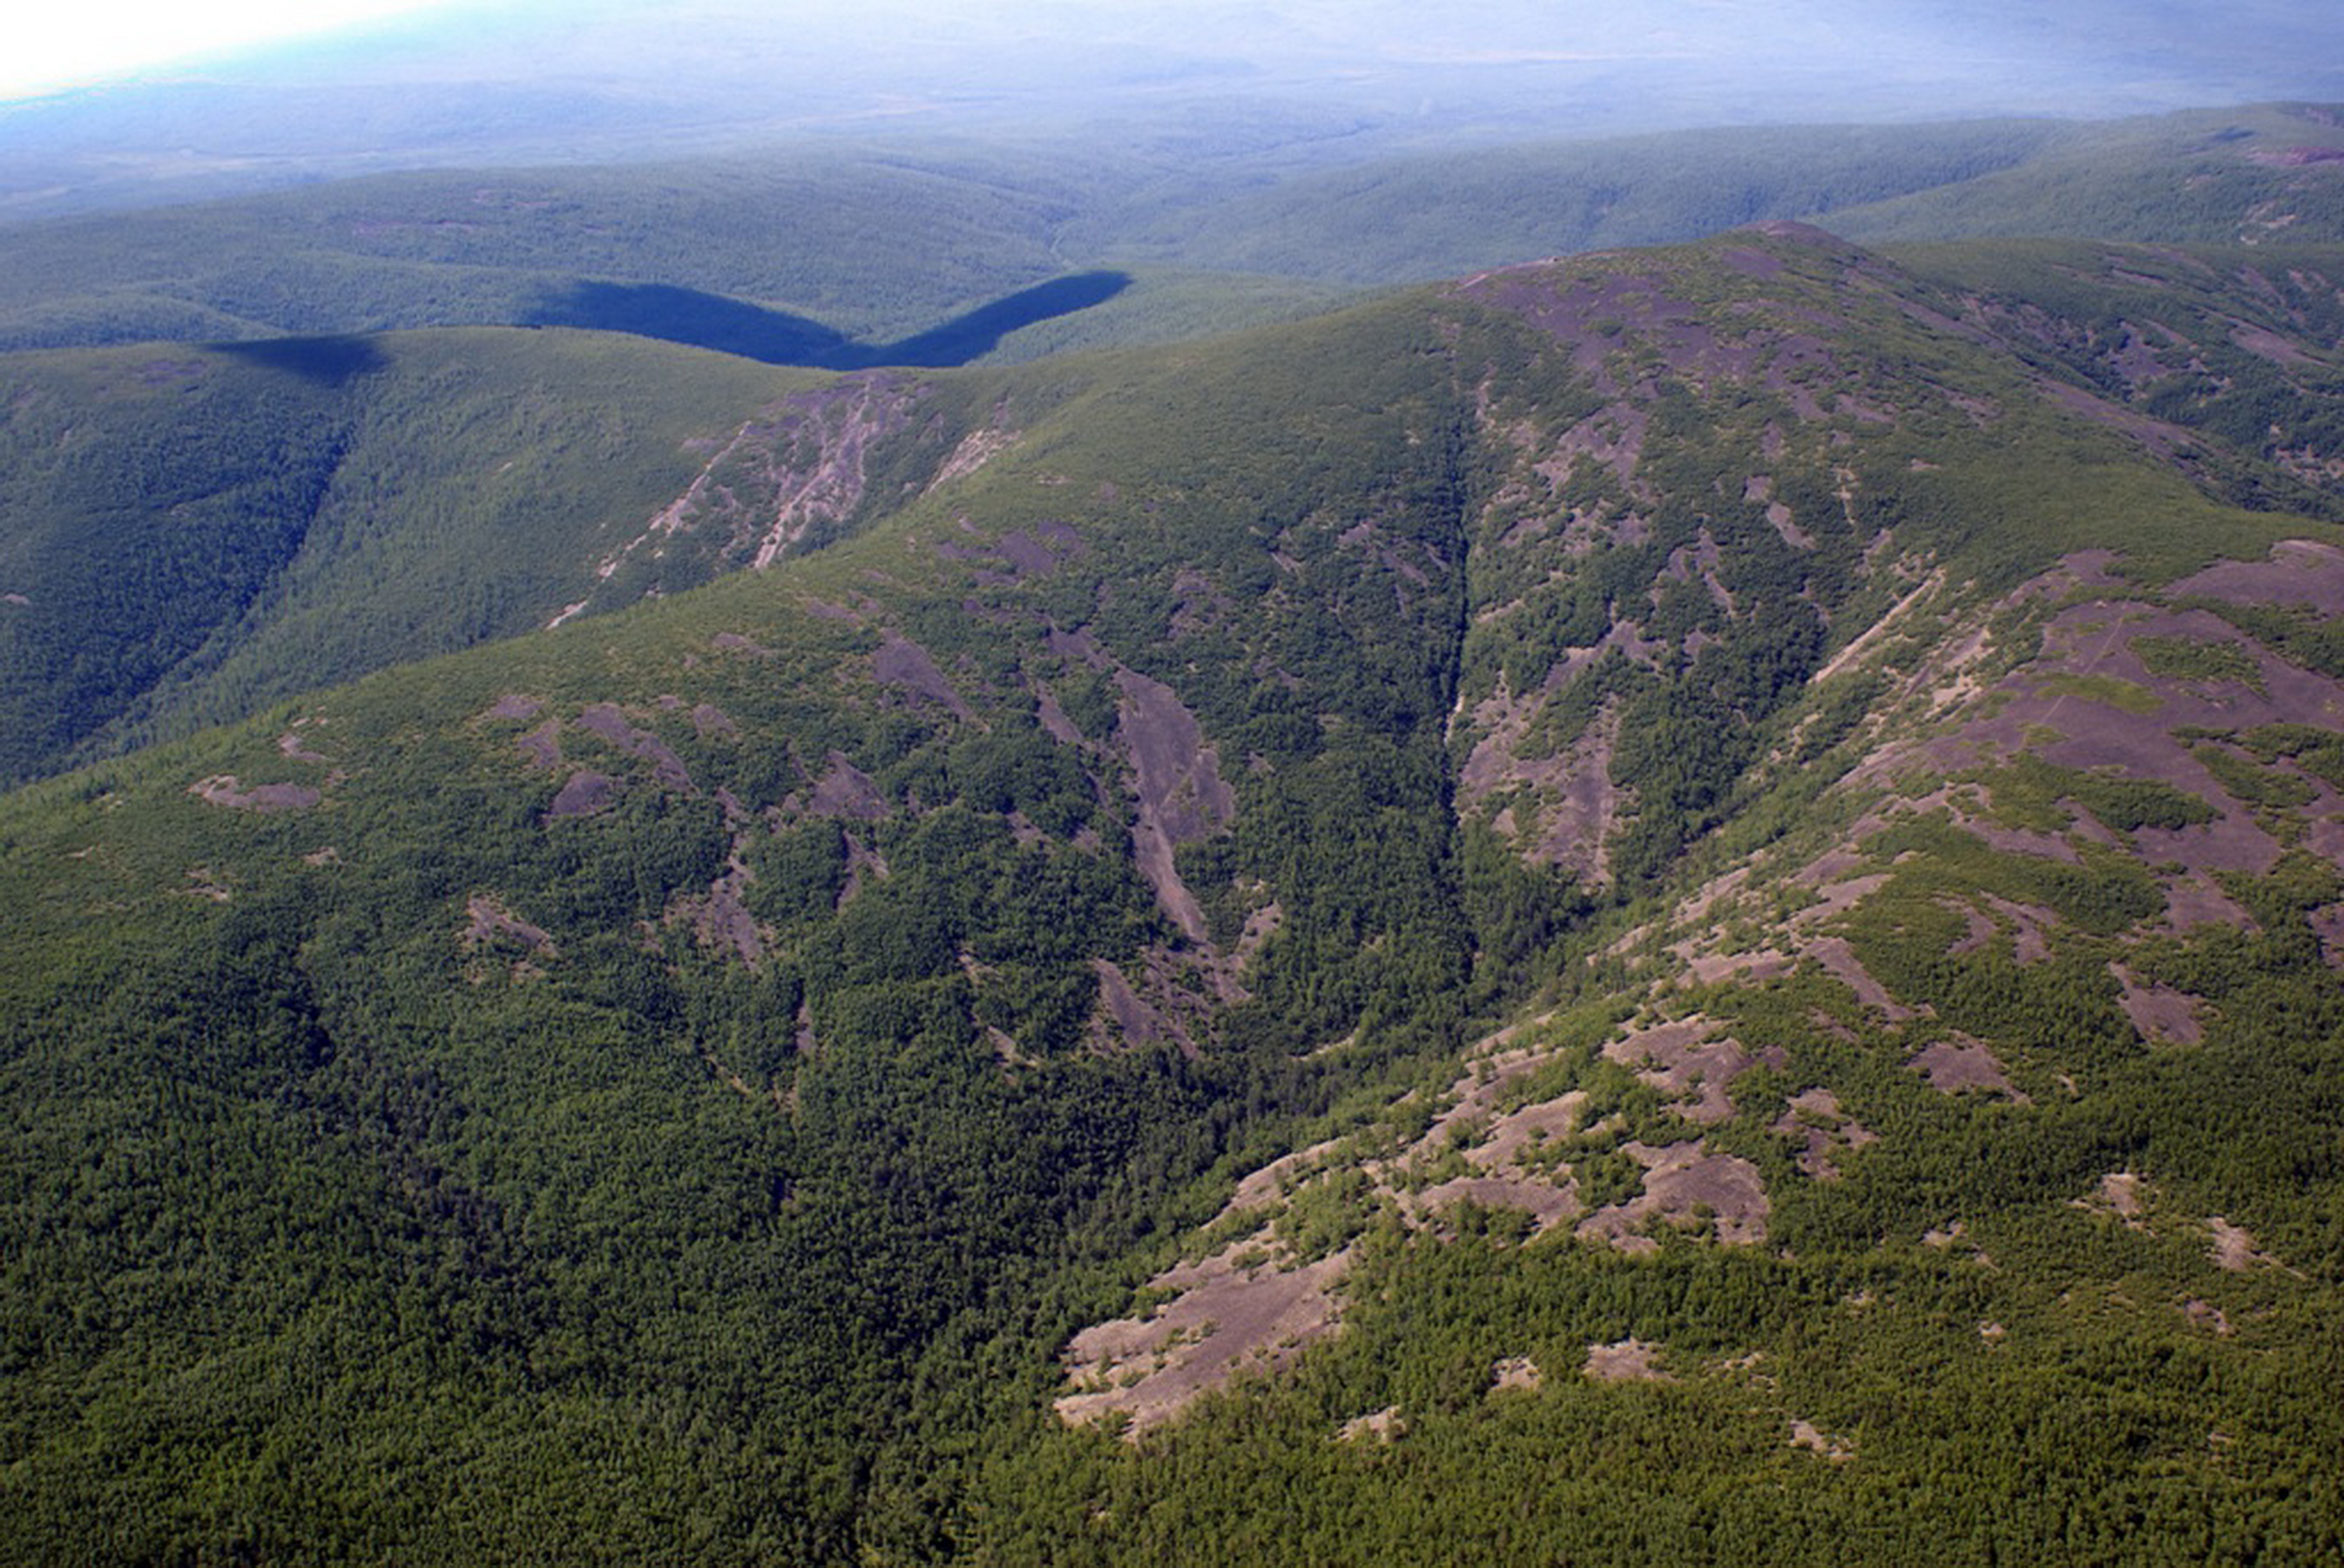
526	81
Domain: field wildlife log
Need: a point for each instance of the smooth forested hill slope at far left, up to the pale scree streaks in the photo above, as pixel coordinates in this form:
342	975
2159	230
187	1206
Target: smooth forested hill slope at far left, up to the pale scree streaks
198	531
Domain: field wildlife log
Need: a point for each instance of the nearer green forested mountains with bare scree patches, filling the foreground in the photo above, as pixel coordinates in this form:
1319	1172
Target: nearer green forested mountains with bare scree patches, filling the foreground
1675	906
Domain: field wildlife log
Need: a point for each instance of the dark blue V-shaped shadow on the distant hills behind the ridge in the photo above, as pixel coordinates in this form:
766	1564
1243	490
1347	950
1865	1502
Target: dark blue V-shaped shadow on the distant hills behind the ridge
782	339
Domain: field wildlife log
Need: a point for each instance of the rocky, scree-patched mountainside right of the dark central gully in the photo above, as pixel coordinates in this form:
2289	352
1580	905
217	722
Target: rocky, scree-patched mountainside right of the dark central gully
1940	1164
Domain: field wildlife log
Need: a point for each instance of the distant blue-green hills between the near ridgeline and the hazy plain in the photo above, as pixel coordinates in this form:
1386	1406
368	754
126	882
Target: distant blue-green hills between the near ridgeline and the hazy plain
815	252
